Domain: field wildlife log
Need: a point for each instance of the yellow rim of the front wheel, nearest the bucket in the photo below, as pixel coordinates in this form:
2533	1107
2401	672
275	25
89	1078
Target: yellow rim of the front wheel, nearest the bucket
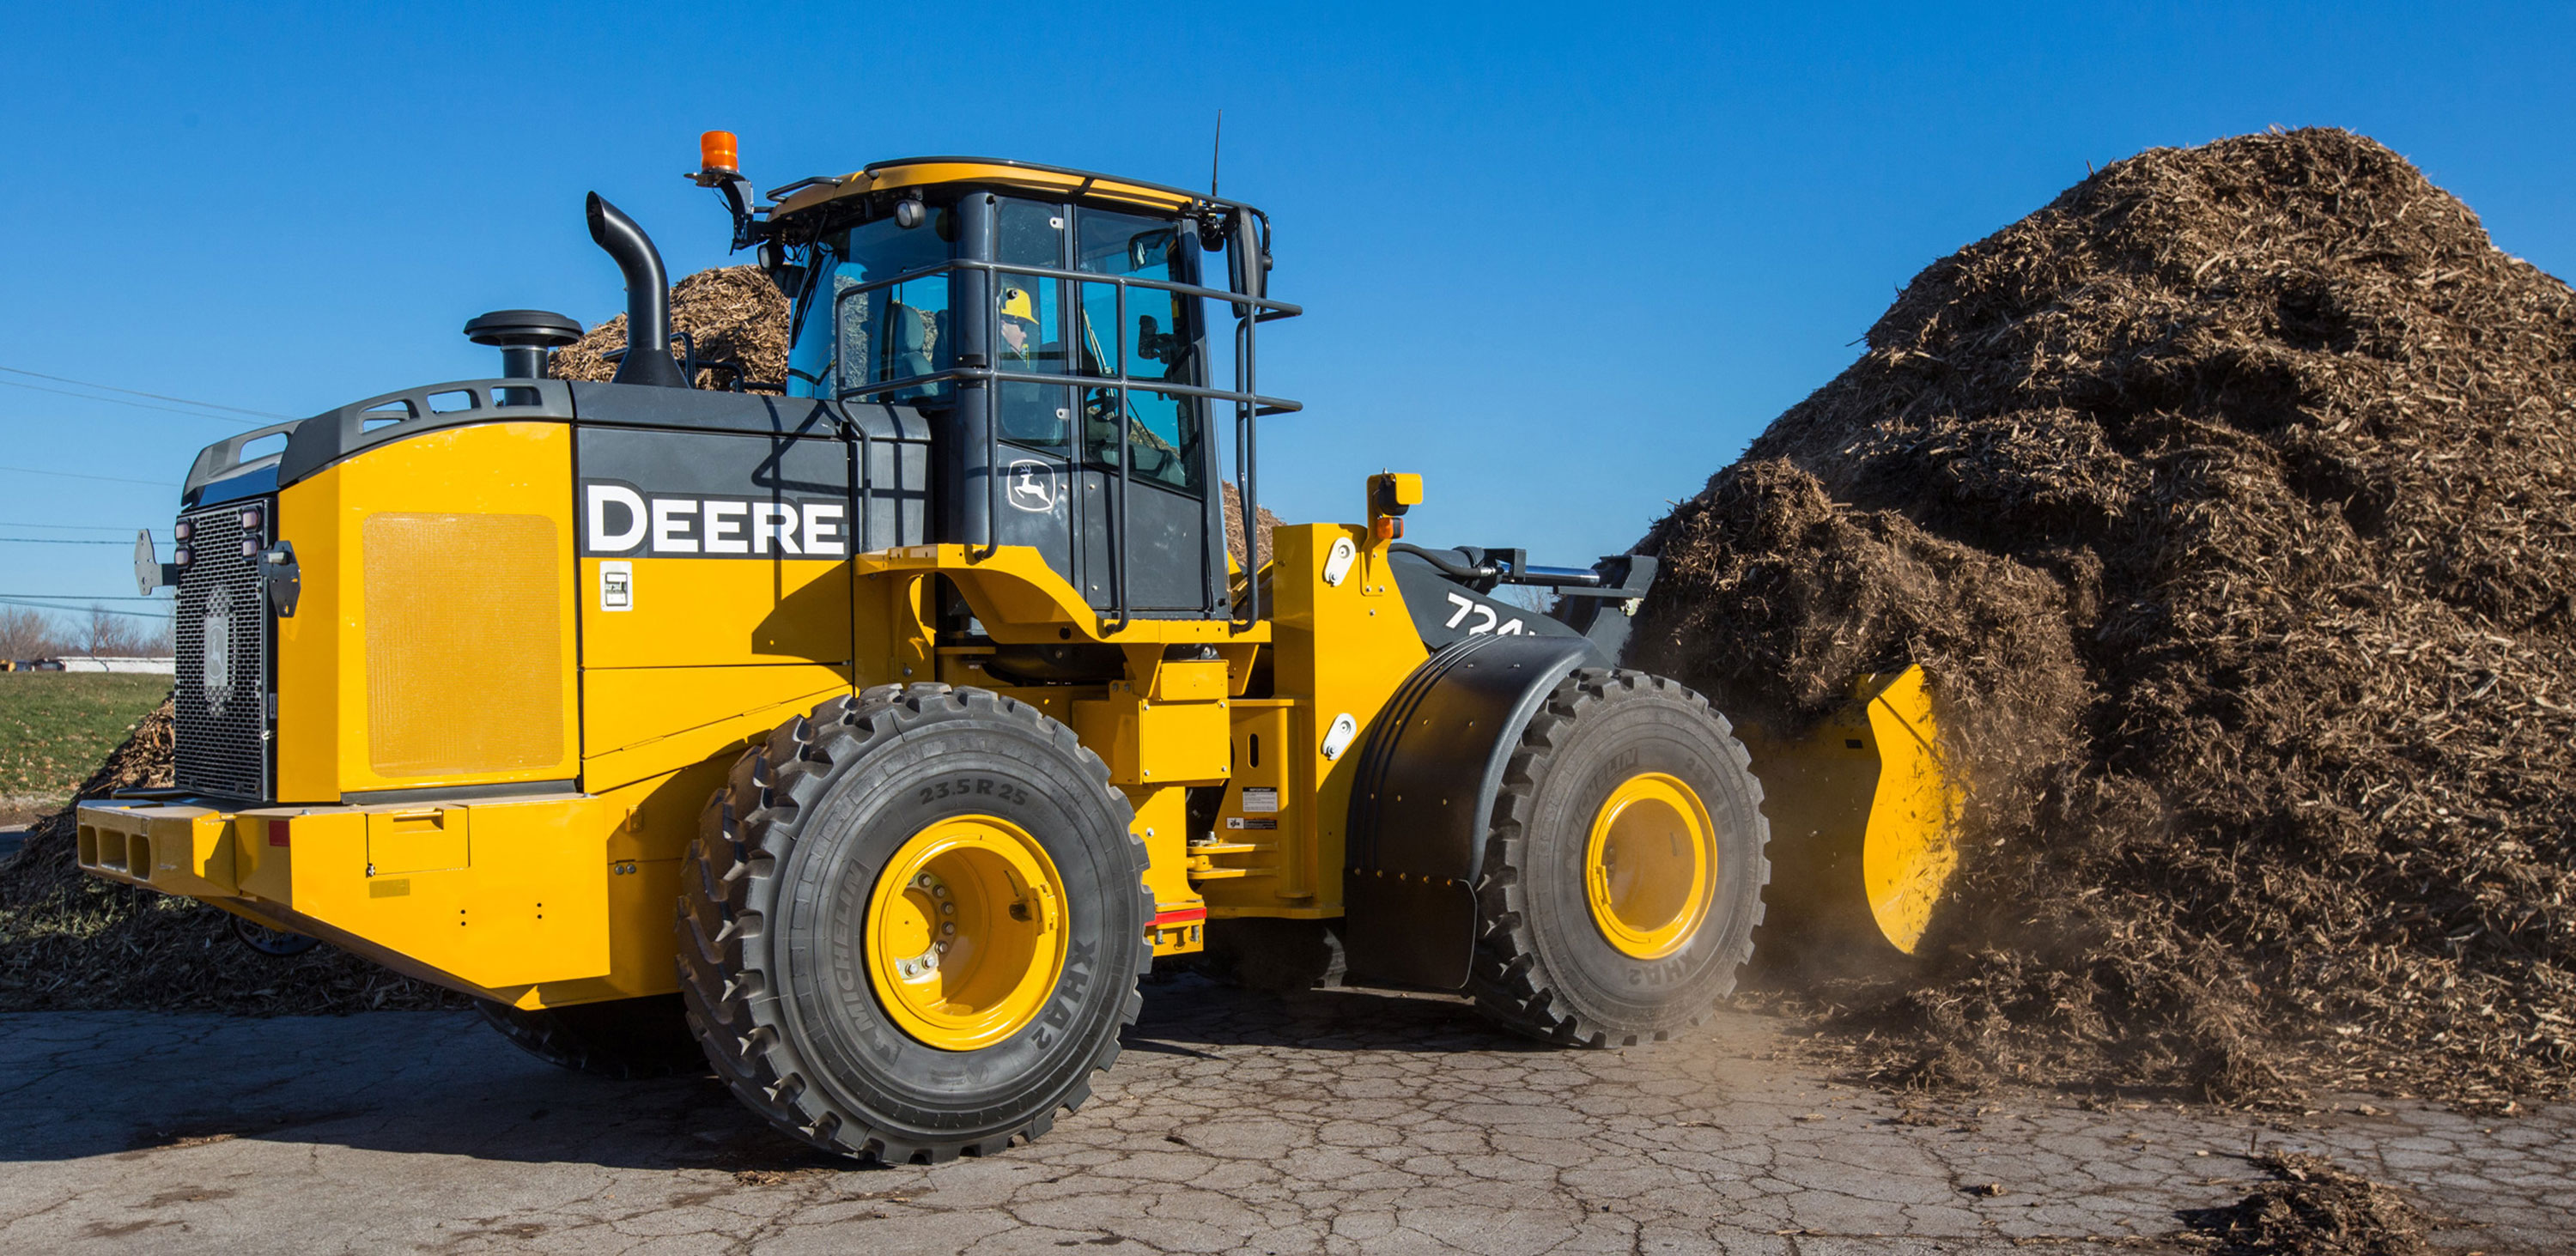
1653	866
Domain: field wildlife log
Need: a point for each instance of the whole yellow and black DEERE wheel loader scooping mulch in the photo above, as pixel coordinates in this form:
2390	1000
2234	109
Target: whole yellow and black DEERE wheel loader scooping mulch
872	732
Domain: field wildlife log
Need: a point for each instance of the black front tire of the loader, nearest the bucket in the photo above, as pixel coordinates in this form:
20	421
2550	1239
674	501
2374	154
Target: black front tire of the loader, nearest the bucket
1555	959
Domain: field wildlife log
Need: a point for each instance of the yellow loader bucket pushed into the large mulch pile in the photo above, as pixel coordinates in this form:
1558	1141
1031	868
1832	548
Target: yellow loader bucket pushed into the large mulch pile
1861	822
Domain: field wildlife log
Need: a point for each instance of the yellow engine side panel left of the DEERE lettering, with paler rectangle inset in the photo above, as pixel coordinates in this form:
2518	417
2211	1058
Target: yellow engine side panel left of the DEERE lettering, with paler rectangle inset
437	645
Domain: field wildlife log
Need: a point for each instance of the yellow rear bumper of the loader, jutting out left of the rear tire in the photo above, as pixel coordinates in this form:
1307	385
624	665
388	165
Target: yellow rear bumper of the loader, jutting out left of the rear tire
483	897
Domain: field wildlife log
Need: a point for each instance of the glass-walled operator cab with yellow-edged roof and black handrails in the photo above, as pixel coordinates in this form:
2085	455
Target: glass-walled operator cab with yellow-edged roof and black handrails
1055	331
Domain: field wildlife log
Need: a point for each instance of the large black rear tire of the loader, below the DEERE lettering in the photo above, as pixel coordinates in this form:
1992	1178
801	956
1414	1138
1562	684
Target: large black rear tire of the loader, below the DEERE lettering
800	1000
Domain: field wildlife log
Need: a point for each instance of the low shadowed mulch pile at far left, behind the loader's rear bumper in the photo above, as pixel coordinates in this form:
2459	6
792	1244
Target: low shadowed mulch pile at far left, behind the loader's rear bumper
71	941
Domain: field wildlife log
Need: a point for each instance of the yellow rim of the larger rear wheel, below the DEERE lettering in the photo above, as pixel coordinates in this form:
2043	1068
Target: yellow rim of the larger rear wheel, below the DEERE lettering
967	933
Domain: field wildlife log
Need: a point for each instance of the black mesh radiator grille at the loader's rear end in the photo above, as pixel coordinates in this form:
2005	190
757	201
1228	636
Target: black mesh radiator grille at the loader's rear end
220	696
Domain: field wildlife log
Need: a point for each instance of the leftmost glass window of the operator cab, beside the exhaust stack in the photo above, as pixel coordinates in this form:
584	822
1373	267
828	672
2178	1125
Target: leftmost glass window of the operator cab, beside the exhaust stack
851	336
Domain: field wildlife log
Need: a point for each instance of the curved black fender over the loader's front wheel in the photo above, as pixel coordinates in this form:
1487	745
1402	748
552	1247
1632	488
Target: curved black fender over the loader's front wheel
1423	802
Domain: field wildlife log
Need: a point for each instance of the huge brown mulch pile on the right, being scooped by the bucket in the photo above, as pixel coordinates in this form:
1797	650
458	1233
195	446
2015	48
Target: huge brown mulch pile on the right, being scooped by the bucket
2232	506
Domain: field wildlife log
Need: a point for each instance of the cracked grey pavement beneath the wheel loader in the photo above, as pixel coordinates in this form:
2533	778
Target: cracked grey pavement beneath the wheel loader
1331	1121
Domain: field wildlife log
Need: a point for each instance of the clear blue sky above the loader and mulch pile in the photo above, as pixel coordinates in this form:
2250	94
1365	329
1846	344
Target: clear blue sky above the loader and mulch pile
1560	259
